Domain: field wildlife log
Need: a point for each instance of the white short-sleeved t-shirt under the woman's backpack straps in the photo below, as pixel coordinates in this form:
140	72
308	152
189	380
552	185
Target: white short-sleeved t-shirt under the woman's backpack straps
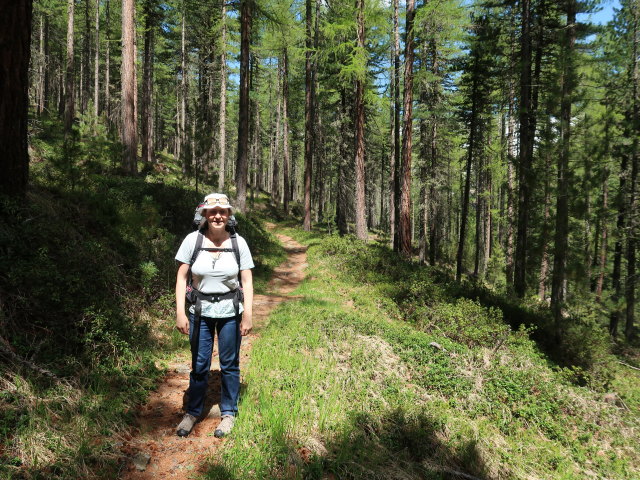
215	275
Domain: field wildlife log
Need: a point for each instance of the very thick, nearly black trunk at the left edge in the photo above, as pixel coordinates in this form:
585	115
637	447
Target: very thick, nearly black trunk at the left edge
15	37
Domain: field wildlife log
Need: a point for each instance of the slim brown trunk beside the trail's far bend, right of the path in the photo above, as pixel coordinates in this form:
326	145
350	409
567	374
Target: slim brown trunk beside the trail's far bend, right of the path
308	119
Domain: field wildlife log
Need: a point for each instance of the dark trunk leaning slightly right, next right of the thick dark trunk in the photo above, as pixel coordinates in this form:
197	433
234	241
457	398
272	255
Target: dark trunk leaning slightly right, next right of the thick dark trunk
559	279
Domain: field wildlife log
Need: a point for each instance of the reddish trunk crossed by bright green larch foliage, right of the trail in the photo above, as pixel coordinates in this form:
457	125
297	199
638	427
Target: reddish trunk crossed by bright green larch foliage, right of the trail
361	225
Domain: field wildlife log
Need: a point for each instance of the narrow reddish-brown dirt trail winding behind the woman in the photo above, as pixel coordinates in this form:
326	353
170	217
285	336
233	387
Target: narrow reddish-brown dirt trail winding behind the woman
155	445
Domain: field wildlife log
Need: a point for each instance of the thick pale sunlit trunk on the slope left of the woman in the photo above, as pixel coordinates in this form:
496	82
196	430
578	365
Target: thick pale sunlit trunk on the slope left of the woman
129	121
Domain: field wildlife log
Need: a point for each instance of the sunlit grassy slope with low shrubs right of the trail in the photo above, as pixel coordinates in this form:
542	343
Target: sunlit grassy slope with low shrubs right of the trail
341	385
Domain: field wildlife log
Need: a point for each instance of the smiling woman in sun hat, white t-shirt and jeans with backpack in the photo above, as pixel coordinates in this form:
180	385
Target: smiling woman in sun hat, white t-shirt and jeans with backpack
218	308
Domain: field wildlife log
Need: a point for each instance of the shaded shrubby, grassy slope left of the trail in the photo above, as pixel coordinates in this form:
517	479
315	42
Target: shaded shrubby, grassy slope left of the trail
86	283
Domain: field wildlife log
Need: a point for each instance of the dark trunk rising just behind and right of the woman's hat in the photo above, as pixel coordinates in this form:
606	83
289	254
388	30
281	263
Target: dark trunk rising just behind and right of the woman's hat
243	104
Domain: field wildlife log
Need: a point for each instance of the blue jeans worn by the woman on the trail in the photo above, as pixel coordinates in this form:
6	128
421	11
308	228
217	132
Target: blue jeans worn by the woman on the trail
229	338
